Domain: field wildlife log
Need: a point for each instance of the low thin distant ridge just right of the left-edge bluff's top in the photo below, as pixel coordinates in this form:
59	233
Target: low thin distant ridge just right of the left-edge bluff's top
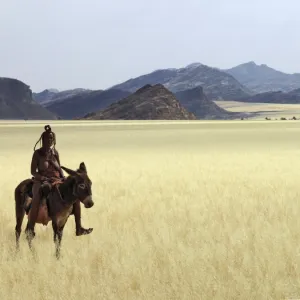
51	95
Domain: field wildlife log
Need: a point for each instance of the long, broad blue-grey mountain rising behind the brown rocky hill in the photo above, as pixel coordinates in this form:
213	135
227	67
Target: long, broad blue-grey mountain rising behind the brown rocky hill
216	83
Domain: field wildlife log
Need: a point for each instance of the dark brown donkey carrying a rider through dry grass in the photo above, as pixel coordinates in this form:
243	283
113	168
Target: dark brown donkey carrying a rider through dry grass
57	203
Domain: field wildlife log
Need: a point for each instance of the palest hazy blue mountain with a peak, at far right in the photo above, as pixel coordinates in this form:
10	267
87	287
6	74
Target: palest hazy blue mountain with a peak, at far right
261	78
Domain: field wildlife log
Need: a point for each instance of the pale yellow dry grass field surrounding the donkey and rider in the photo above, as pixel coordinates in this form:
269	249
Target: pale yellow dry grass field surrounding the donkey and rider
199	210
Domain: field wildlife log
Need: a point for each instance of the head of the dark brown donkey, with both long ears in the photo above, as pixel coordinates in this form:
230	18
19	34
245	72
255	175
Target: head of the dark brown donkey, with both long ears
82	185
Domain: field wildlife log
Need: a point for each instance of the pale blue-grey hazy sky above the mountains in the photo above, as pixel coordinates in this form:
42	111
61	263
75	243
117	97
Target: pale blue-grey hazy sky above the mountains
96	44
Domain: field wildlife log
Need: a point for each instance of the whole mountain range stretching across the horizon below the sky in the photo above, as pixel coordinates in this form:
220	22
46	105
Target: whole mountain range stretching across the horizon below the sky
194	87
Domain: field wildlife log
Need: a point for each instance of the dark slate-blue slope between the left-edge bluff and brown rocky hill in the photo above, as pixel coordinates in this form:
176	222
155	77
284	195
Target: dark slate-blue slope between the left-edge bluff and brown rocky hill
80	104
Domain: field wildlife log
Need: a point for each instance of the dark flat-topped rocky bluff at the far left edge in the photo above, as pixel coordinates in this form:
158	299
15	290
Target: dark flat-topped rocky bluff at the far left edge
16	102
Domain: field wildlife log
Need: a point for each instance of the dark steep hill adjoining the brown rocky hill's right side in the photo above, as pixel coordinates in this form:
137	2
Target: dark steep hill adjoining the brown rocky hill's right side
195	101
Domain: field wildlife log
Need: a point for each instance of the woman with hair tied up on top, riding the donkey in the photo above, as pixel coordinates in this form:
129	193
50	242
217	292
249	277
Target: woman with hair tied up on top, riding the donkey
45	168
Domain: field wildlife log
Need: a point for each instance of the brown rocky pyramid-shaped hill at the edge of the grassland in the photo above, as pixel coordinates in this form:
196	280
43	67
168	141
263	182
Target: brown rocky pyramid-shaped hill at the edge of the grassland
147	103
